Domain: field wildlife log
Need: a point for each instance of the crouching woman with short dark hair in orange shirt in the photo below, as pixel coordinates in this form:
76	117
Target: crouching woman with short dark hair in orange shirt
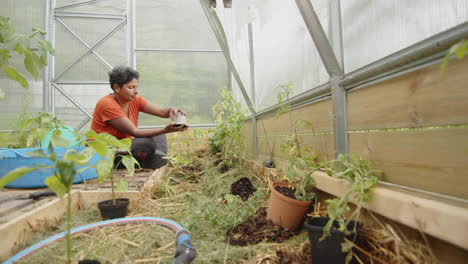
117	114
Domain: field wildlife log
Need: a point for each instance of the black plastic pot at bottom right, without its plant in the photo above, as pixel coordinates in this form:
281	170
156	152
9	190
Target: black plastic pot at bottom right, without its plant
328	250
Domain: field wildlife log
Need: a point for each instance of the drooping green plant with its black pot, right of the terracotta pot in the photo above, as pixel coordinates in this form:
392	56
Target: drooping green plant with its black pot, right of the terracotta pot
332	238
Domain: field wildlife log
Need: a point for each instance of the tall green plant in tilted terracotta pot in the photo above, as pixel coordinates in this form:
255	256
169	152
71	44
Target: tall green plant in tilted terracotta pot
290	199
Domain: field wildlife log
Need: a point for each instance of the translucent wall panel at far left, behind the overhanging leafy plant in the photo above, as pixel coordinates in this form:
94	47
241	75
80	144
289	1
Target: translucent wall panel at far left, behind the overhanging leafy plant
25	14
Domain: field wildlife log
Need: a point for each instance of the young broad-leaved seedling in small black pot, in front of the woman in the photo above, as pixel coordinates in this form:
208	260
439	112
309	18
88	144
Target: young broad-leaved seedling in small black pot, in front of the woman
113	208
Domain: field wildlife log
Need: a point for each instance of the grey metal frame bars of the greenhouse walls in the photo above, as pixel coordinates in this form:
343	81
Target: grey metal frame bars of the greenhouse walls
329	43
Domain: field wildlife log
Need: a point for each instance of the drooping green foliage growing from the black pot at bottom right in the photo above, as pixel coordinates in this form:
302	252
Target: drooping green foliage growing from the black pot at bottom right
363	178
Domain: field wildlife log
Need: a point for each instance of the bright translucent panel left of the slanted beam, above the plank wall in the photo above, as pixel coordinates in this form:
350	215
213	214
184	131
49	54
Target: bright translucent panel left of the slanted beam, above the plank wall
284	52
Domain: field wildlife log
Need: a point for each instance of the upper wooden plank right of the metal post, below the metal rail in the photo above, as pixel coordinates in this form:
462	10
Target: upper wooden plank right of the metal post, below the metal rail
416	99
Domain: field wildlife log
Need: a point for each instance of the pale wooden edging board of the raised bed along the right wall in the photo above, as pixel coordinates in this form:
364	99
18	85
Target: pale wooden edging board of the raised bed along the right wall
444	221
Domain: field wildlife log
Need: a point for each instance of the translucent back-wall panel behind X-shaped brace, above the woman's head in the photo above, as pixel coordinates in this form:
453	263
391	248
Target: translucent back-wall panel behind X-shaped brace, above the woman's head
71	32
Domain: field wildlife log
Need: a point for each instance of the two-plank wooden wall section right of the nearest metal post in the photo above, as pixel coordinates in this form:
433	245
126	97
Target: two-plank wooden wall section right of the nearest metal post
420	155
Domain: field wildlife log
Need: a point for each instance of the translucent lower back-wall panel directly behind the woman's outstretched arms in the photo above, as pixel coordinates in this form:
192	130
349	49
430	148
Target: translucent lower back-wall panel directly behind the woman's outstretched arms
186	80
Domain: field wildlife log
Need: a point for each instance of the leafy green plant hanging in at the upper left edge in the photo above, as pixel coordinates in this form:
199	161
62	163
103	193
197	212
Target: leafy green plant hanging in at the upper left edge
11	41
